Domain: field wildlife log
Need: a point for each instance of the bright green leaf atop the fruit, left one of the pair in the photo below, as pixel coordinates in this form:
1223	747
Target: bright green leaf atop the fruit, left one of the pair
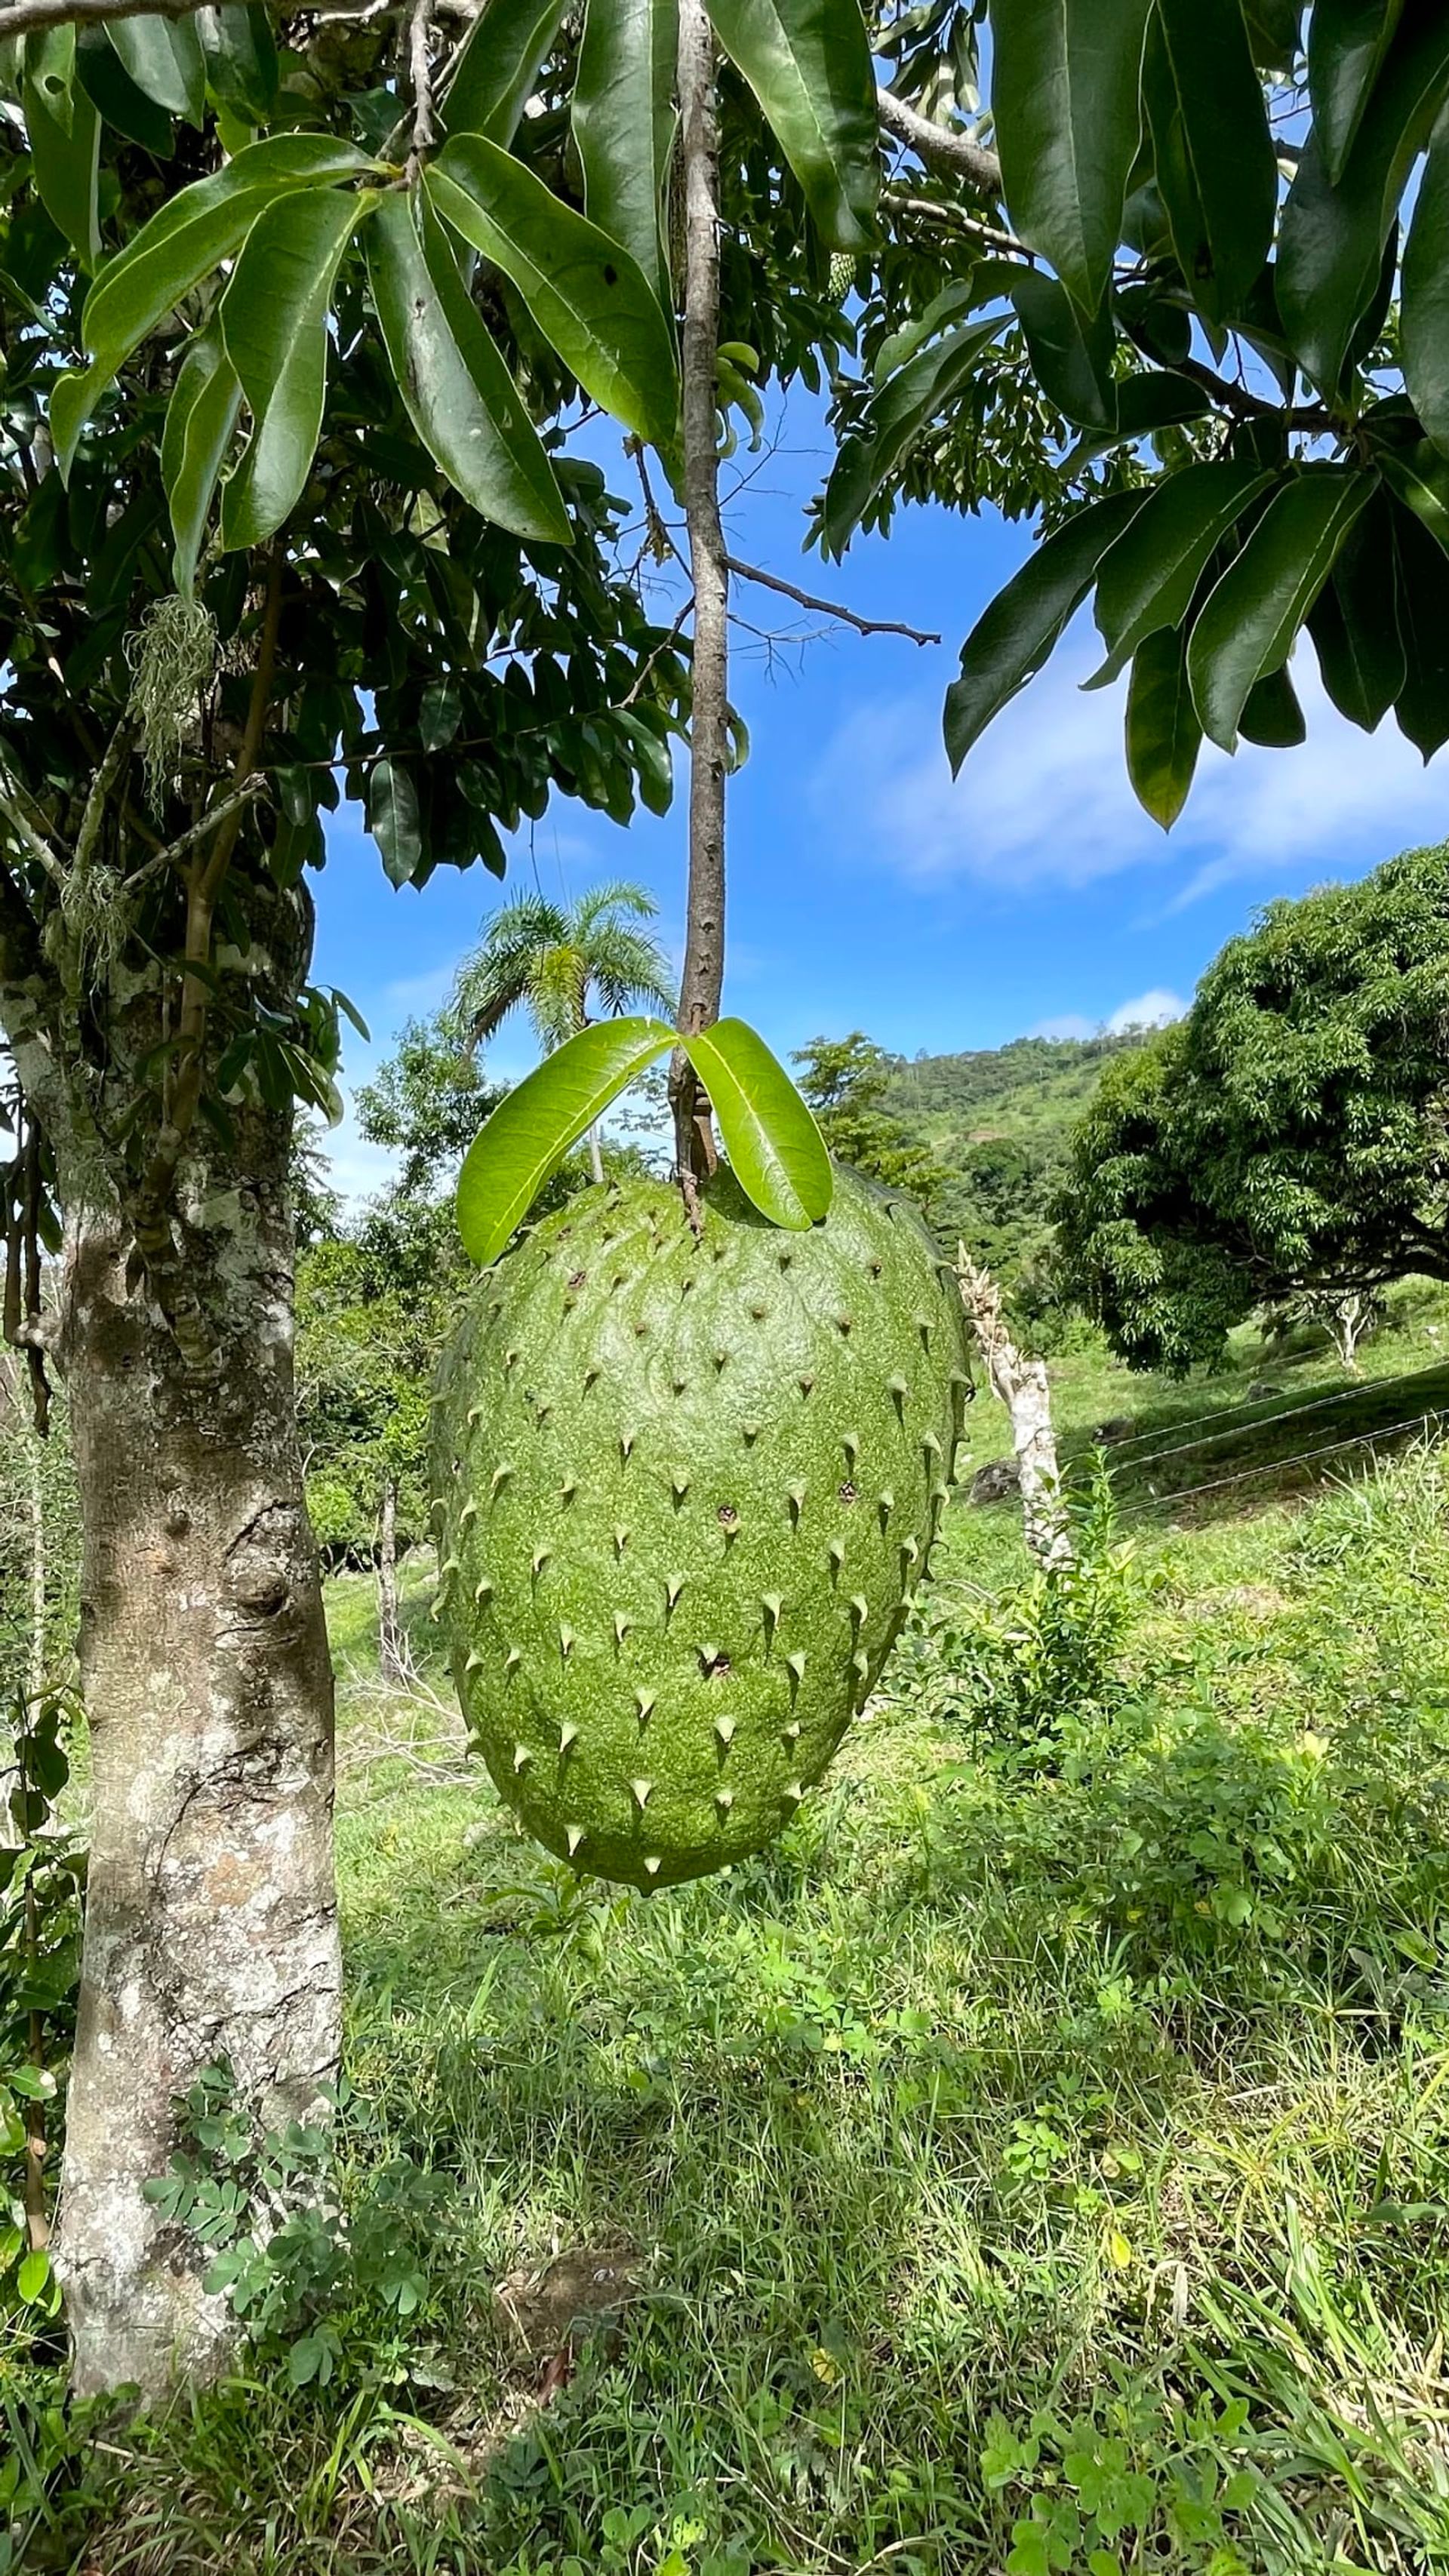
535	1124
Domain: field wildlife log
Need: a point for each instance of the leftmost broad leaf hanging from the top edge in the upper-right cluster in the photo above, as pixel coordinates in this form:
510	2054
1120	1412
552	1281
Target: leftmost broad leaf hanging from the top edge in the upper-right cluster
1066	97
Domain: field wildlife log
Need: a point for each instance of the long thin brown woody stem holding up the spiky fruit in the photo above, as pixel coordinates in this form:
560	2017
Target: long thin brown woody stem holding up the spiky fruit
710	571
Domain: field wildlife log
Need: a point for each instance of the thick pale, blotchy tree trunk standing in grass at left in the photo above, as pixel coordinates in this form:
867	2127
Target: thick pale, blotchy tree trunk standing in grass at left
210	1920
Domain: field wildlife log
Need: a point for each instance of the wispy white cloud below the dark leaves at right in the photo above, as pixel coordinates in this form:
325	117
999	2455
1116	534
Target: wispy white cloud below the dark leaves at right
1045	800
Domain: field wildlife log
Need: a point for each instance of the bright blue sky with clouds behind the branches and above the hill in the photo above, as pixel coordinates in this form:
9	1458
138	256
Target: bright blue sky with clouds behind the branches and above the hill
873	893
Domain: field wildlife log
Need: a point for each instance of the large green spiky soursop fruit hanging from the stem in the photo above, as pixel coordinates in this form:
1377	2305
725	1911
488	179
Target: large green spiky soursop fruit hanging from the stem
685	1493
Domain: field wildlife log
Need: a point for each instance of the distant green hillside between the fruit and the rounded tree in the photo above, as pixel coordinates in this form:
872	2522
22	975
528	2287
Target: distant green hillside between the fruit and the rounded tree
999	1122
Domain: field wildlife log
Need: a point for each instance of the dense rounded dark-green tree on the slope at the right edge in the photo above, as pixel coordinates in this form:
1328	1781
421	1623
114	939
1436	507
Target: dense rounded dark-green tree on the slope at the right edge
1290	1140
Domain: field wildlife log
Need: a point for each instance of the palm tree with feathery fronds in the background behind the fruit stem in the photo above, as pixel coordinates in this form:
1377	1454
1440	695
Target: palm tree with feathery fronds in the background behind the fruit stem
553	960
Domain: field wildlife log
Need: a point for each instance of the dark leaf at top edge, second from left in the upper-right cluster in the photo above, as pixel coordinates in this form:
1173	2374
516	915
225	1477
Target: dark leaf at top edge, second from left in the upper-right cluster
1213	151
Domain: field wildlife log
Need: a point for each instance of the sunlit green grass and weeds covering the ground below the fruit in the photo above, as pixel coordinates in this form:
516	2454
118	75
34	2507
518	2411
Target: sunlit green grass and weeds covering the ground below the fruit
1027	2165
